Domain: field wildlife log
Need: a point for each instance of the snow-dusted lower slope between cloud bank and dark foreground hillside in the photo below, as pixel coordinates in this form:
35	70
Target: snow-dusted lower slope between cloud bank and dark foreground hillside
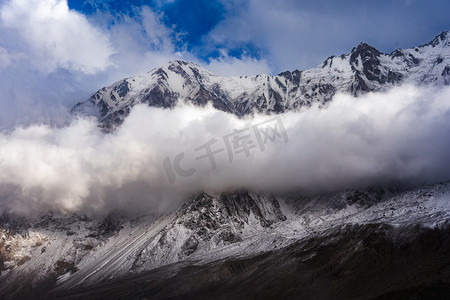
65	254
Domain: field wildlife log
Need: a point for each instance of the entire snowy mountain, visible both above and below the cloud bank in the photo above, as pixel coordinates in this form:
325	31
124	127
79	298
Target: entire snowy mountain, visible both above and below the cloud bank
351	244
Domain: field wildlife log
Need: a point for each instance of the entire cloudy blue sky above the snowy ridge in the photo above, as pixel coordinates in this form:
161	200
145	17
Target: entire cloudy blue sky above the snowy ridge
54	53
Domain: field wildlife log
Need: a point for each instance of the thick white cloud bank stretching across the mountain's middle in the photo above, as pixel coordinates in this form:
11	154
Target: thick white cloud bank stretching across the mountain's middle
158	157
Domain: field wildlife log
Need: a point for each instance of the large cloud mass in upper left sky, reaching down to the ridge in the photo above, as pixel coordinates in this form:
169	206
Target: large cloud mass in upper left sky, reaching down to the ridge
52	57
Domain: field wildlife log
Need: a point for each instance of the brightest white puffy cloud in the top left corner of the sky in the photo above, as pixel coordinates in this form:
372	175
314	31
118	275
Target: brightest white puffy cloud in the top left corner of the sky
56	36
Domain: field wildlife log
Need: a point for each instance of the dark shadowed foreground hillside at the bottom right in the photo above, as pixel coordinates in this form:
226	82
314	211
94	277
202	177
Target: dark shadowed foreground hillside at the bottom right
346	262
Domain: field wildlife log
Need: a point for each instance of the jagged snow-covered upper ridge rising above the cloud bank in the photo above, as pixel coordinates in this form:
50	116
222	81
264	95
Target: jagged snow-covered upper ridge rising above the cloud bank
362	70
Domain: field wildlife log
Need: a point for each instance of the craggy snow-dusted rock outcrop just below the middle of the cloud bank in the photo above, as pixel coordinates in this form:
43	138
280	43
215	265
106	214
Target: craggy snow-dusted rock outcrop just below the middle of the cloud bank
208	221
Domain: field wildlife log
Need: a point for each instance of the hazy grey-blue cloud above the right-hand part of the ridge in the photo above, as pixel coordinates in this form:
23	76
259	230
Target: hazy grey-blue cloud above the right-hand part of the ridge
302	34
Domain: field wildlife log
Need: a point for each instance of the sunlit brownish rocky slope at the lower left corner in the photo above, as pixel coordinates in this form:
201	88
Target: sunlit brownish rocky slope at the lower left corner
36	252
